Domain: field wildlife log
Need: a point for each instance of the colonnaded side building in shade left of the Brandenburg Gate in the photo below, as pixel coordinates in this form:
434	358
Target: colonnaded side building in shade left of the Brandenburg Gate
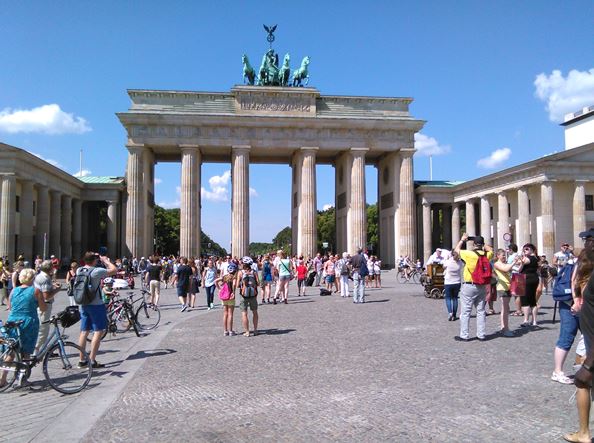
46	211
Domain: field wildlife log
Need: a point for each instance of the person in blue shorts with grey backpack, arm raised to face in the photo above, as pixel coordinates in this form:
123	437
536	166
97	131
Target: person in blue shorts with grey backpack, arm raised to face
93	315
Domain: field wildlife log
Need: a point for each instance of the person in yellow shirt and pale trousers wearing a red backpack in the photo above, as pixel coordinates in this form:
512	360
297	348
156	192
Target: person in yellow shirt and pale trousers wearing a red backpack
476	282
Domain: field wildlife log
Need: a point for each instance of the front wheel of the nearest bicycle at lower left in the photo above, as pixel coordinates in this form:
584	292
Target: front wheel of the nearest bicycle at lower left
60	367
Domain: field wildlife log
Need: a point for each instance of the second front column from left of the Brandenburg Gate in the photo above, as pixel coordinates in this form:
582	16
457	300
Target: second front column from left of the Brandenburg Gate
190	202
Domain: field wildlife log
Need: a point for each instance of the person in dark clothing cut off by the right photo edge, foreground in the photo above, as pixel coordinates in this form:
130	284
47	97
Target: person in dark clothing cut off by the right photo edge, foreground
583	303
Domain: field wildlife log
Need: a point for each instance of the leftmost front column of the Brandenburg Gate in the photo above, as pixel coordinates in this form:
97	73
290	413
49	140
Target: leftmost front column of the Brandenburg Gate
136	202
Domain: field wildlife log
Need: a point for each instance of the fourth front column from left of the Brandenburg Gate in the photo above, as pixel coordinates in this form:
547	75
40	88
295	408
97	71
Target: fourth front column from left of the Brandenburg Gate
304	193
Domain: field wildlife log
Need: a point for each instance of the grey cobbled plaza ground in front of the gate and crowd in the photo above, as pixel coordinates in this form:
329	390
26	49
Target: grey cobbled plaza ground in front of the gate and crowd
323	369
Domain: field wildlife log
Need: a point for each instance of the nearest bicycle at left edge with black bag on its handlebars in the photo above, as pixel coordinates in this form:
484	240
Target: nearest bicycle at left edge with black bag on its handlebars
60	358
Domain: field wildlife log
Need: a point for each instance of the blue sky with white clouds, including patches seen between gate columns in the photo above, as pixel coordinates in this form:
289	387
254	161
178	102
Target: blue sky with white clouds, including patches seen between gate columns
492	79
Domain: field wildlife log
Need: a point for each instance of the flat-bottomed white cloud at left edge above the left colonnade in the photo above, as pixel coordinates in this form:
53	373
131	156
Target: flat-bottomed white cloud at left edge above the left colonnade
47	119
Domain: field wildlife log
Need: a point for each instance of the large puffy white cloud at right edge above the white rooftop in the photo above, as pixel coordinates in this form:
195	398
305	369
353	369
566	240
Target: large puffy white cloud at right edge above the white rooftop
563	95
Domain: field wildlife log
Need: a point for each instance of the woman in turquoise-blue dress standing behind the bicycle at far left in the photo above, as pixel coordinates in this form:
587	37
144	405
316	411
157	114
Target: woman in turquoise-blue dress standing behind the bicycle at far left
24	301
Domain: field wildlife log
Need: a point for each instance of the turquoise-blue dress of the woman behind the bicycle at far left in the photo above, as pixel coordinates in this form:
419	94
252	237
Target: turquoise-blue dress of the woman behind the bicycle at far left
24	307
